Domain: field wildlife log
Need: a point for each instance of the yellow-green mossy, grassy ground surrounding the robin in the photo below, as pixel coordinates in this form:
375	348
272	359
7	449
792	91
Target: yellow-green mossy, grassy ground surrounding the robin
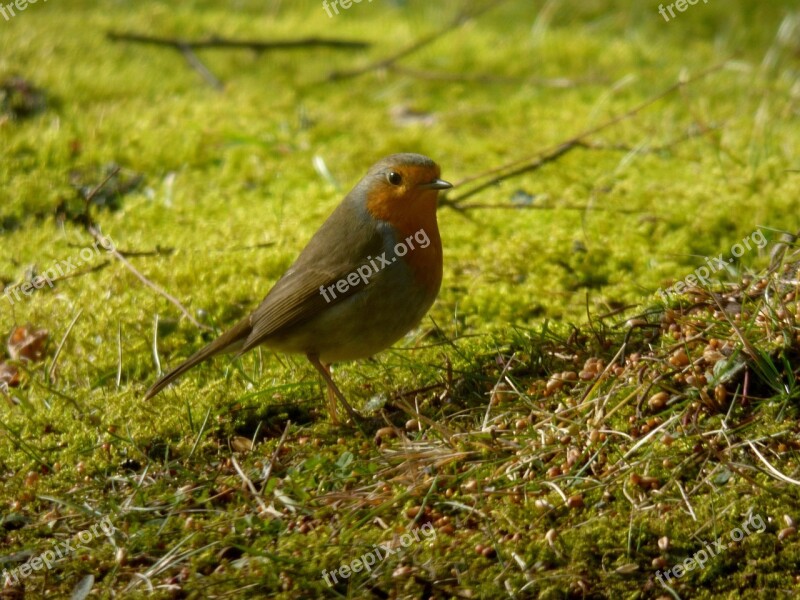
565	430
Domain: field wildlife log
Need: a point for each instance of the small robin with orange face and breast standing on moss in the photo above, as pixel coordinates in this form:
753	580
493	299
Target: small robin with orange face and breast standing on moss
366	278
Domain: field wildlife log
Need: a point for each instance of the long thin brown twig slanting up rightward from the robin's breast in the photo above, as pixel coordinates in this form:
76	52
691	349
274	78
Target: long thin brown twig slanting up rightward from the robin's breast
525	165
